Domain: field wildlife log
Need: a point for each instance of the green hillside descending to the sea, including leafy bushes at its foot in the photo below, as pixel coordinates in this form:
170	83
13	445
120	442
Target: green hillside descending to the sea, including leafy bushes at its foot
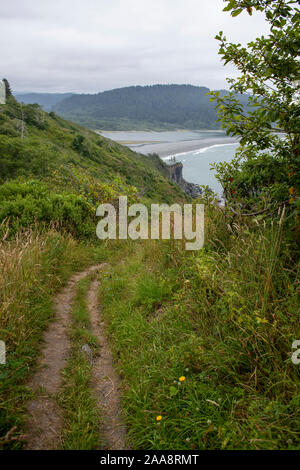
54	171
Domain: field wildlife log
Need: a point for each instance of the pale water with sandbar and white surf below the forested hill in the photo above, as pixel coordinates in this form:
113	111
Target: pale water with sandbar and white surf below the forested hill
197	150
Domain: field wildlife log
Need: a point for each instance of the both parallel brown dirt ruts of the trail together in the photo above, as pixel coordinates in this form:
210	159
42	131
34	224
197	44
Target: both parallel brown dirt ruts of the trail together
45	422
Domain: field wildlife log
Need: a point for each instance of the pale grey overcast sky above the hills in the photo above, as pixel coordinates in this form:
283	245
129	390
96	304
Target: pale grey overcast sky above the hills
94	45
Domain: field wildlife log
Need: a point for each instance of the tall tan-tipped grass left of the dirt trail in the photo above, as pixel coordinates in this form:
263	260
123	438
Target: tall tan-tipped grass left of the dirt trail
32	268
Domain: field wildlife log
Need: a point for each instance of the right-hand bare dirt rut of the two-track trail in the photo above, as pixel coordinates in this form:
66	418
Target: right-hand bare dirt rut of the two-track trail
106	383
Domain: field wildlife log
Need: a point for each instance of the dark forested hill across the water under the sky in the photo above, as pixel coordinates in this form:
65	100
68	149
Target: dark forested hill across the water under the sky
142	107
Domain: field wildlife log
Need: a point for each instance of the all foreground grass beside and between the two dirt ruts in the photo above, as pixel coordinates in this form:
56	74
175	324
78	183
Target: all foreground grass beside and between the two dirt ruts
201	340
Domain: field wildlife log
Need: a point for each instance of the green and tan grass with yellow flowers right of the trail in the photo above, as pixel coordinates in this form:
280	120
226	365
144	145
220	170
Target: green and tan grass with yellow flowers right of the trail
224	318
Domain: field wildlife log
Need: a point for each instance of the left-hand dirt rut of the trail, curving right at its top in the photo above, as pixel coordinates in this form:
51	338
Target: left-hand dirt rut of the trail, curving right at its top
44	425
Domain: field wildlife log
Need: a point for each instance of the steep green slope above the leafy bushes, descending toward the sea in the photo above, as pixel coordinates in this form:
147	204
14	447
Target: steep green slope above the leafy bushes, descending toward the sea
36	144
